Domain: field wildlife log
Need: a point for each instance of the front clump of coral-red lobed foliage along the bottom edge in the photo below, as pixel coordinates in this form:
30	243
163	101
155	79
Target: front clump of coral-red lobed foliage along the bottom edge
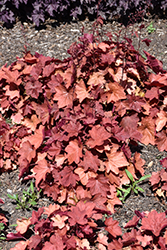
76	228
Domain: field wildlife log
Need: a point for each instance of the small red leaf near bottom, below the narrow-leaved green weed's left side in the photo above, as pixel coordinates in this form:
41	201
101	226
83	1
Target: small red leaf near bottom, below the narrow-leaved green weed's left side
112	227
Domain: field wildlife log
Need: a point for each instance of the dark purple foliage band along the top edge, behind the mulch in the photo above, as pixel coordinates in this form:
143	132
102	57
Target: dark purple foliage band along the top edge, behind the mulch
37	11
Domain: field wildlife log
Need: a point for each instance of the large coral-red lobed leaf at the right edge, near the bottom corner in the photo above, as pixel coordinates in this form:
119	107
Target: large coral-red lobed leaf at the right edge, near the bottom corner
154	222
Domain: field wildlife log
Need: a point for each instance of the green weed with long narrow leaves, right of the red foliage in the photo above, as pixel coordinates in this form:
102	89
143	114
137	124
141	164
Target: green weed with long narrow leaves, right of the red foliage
122	193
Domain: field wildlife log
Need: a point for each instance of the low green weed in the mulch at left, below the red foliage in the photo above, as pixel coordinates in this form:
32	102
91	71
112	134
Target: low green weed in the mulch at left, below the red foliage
28	199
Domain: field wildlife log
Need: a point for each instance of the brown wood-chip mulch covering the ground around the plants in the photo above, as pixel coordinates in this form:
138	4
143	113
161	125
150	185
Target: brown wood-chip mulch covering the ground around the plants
53	39
